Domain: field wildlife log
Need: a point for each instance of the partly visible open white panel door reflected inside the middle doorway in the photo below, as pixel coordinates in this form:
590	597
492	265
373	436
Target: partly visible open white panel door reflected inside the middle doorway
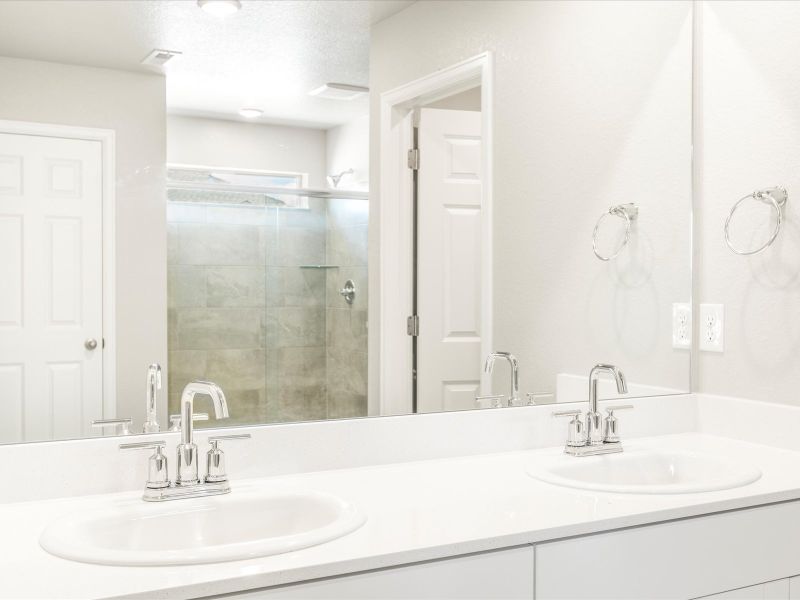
450	249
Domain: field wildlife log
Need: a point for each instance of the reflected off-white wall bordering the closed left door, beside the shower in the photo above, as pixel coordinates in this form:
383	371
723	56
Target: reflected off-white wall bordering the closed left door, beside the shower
134	106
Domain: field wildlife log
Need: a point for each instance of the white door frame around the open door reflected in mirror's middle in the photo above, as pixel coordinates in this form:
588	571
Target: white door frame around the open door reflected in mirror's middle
395	227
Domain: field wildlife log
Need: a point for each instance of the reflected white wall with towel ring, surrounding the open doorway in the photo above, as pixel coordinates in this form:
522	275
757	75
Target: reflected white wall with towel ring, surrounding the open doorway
592	107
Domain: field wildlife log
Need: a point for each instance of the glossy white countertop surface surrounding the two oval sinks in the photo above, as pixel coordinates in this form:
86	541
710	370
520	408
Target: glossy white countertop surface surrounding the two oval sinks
416	511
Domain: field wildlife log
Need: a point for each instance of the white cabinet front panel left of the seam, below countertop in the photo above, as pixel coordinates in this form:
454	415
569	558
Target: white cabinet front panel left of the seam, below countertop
501	575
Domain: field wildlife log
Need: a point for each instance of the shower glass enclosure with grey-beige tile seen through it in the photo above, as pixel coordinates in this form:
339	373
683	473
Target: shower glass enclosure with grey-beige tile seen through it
254	282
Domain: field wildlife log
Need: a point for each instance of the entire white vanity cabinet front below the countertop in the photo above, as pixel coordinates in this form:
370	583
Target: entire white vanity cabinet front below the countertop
747	554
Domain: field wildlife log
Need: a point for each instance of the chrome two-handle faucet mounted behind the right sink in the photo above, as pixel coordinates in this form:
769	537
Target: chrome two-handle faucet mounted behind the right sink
598	436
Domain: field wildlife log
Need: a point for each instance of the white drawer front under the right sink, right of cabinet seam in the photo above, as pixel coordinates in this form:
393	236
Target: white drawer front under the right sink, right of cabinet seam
679	559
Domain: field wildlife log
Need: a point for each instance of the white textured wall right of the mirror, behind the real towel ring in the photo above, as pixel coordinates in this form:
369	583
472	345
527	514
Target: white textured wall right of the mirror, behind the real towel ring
750	139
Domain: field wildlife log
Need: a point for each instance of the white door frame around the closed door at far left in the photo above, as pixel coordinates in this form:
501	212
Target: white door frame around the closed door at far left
107	140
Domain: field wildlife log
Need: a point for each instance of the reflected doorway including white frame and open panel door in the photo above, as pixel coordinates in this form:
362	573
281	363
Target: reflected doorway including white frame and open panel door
436	264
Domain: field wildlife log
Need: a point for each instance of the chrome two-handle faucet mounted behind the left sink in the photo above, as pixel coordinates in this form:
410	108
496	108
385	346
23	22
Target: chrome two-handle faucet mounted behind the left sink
187	483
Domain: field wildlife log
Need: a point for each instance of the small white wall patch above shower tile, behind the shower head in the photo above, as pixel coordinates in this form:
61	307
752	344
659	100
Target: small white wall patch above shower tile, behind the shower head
348	148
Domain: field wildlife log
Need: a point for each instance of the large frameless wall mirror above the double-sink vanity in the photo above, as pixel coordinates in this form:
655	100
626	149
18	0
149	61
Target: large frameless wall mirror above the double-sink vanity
338	209
